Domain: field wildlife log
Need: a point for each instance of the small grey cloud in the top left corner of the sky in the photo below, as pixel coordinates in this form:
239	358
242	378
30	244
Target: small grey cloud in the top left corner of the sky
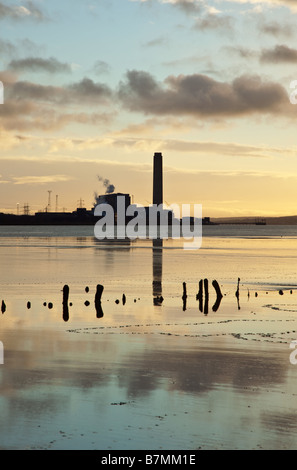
28	10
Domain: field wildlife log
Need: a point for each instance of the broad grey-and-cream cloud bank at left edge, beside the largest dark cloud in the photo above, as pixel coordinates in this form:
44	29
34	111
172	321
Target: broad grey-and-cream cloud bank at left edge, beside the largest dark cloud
31	105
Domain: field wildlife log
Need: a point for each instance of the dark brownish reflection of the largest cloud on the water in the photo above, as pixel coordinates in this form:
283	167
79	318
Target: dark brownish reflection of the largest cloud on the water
198	371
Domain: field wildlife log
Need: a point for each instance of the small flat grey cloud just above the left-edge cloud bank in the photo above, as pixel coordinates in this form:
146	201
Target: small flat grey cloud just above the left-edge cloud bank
37	64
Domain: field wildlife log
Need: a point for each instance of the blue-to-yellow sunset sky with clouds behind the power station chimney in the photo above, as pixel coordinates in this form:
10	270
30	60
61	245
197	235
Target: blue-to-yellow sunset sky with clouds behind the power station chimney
93	88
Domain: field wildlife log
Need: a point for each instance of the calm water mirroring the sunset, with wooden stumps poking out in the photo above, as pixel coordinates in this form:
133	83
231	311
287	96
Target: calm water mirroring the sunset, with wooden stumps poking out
147	374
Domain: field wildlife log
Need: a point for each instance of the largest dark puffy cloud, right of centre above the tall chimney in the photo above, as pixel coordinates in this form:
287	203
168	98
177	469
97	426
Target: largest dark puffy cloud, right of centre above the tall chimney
201	96
